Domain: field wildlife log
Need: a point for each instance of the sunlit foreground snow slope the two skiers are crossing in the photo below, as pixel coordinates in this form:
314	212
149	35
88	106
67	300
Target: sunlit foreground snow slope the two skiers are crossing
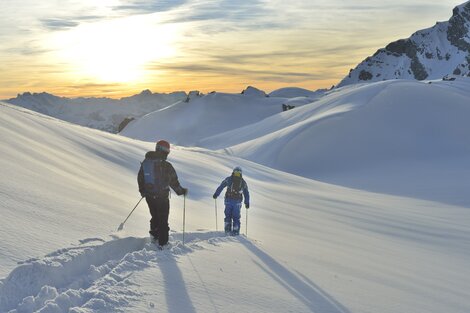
312	247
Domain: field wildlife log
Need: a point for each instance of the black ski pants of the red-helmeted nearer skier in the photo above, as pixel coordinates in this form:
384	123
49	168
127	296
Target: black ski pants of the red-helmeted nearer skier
159	210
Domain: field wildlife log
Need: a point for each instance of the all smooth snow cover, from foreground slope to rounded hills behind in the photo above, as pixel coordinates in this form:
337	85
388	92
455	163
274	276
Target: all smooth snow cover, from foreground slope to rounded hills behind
311	246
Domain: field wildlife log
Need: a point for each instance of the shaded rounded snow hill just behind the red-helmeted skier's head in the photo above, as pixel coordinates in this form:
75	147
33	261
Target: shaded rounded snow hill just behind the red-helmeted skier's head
187	123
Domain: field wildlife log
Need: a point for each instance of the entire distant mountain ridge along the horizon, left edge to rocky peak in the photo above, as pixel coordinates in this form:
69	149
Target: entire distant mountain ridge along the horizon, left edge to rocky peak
113	115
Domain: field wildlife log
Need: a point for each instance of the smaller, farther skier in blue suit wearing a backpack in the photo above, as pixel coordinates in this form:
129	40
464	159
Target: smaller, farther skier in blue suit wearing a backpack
236	186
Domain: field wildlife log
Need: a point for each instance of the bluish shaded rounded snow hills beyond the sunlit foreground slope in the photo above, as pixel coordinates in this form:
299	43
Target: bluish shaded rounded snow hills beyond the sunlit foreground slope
367	136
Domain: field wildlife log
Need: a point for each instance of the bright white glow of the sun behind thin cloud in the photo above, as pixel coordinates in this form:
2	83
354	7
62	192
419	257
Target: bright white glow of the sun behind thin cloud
116	50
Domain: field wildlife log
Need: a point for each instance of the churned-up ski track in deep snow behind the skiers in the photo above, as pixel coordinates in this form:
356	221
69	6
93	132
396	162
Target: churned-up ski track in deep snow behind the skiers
92	278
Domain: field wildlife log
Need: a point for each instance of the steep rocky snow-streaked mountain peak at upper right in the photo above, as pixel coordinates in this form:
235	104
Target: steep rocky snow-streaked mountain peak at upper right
432	53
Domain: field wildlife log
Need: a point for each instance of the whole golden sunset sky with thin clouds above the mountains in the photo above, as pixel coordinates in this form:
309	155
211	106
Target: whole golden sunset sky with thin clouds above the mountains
117	48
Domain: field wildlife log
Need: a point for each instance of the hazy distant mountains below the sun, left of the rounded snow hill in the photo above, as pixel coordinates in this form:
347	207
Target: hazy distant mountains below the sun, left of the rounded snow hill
100	113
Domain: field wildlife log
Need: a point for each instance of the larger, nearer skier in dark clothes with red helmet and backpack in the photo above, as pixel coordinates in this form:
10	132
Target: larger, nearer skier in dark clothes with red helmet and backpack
155	177
